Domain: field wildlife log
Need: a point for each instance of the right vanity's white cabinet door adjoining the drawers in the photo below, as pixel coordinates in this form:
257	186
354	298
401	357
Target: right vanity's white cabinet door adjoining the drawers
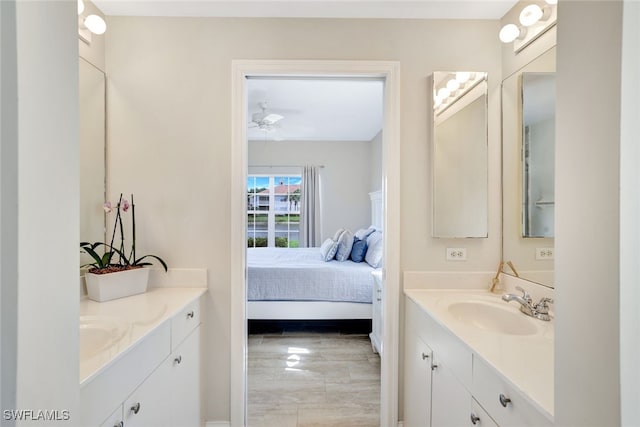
451	402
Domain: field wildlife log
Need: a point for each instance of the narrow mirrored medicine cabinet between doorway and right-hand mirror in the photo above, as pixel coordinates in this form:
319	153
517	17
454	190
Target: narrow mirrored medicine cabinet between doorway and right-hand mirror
460	176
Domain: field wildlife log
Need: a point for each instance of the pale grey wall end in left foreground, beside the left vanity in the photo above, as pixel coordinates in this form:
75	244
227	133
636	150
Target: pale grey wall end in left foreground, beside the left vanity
47	195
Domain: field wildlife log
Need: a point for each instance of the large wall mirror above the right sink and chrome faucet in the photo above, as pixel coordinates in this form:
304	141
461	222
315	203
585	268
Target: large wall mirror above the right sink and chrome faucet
528	168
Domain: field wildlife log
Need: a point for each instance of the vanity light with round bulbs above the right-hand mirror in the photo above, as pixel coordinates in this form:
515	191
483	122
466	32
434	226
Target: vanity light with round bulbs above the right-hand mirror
534	20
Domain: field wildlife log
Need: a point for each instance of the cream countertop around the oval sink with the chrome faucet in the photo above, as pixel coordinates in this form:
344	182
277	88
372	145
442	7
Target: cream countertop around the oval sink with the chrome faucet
525	361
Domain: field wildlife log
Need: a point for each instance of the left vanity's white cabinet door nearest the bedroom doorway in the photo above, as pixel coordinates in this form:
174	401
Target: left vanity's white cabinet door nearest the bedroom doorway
185	382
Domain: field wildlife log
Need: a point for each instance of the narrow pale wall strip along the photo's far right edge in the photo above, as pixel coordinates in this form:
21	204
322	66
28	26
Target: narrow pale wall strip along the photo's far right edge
629	213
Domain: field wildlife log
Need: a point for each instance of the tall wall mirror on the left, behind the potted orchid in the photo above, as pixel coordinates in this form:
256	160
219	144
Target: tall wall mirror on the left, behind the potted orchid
92	154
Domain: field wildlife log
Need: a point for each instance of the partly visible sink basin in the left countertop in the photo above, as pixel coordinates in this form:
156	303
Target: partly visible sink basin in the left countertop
98	333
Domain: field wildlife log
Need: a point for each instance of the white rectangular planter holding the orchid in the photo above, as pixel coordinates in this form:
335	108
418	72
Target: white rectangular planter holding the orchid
105	287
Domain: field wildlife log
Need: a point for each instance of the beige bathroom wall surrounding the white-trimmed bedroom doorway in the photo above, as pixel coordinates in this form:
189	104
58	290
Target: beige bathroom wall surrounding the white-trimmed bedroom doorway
169	131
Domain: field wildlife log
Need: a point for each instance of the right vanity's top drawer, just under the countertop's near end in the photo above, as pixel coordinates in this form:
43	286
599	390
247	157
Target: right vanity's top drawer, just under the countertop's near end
507	406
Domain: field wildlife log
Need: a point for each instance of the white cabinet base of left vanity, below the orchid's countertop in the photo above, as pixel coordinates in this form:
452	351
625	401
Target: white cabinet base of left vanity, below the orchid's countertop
156	383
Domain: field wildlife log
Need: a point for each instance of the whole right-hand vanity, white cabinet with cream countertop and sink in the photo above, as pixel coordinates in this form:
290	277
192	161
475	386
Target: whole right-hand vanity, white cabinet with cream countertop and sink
473	359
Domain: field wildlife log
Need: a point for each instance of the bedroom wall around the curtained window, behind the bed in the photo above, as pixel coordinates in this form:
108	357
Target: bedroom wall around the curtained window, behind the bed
344	178
